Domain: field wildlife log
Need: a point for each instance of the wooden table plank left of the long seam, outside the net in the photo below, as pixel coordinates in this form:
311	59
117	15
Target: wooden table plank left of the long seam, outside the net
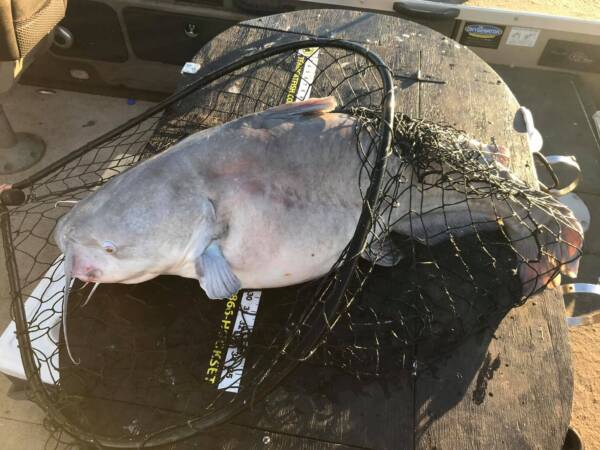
320	403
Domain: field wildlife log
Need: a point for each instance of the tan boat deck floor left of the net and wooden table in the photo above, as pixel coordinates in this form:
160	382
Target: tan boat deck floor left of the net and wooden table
64	120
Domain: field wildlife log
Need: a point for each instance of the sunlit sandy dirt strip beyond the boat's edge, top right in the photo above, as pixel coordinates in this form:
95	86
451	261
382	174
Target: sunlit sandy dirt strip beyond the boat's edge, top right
584	9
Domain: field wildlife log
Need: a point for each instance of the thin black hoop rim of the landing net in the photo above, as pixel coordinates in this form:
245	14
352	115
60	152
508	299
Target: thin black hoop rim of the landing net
334	297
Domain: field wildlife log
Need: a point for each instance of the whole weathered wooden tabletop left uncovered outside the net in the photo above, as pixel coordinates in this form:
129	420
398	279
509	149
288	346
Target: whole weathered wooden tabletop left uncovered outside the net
505	388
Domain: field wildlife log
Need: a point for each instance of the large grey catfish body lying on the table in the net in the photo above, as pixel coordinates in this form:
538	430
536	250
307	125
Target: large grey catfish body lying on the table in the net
267	200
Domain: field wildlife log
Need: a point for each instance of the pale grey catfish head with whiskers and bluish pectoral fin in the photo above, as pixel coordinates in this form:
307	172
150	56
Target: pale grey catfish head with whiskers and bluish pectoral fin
139	226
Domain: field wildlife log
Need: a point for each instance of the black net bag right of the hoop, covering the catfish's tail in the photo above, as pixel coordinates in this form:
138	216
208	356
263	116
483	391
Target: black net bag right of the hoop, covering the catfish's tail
481	242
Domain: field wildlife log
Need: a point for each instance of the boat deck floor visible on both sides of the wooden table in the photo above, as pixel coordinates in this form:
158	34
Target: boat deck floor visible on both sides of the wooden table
67	119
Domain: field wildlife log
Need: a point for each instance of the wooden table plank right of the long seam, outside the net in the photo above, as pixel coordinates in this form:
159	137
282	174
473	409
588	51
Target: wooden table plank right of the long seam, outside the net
522	392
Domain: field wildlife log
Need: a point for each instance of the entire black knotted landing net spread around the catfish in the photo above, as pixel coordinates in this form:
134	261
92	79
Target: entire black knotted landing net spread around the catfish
438	253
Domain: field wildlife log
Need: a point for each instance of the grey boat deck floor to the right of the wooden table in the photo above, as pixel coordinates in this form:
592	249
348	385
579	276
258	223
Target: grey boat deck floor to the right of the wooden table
562	111
